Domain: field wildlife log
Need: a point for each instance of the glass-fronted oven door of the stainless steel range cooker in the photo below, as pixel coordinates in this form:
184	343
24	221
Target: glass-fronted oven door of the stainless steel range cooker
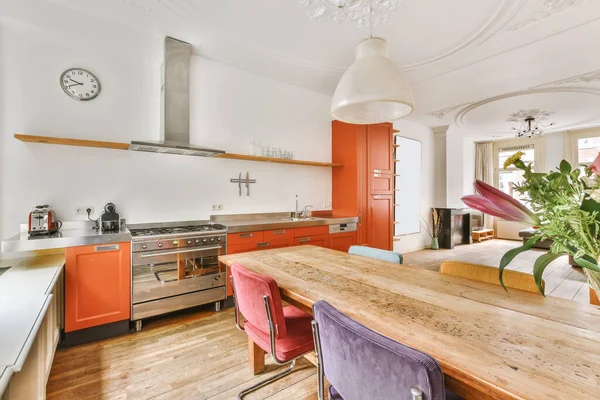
165	273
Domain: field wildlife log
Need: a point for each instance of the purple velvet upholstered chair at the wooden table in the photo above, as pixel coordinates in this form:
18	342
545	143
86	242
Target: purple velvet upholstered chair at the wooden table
362	364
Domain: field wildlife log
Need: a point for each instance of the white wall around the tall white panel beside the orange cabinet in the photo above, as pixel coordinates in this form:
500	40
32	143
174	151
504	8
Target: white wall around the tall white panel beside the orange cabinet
417	131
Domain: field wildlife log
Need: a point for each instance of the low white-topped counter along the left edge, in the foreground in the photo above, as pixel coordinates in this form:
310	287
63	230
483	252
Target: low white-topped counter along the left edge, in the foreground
24	298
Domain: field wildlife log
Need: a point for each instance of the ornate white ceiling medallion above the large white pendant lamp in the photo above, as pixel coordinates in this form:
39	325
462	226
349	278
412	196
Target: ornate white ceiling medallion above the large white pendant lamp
355	11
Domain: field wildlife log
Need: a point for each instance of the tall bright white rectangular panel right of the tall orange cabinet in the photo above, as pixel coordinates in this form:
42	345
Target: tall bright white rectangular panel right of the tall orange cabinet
407	186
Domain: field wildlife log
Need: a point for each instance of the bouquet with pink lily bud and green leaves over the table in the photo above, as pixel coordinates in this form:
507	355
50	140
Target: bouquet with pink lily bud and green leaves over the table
564	205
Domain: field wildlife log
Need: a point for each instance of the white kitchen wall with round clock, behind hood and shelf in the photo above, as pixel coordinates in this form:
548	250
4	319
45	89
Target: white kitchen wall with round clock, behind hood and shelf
229	106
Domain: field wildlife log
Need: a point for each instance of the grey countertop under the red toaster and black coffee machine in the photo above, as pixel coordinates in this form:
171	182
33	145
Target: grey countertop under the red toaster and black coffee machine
63	238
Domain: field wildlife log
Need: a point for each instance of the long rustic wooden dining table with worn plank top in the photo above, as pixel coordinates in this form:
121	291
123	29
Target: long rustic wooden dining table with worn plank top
490	343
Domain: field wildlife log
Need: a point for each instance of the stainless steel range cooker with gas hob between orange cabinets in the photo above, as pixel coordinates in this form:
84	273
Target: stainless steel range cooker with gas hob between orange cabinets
175	266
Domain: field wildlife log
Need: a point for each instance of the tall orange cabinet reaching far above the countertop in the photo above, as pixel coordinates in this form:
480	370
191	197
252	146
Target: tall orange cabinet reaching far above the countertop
364	185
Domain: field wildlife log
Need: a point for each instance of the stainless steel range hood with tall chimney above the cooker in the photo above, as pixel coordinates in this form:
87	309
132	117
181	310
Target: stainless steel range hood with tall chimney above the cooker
175	106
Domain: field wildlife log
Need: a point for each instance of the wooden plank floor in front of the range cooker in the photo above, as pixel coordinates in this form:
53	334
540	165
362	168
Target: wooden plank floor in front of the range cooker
198	355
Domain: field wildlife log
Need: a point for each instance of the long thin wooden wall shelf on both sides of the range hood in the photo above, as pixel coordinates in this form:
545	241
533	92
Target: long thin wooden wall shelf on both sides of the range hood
125	146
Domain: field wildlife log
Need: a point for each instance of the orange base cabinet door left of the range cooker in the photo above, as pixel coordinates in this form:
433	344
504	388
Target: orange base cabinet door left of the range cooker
97	285
